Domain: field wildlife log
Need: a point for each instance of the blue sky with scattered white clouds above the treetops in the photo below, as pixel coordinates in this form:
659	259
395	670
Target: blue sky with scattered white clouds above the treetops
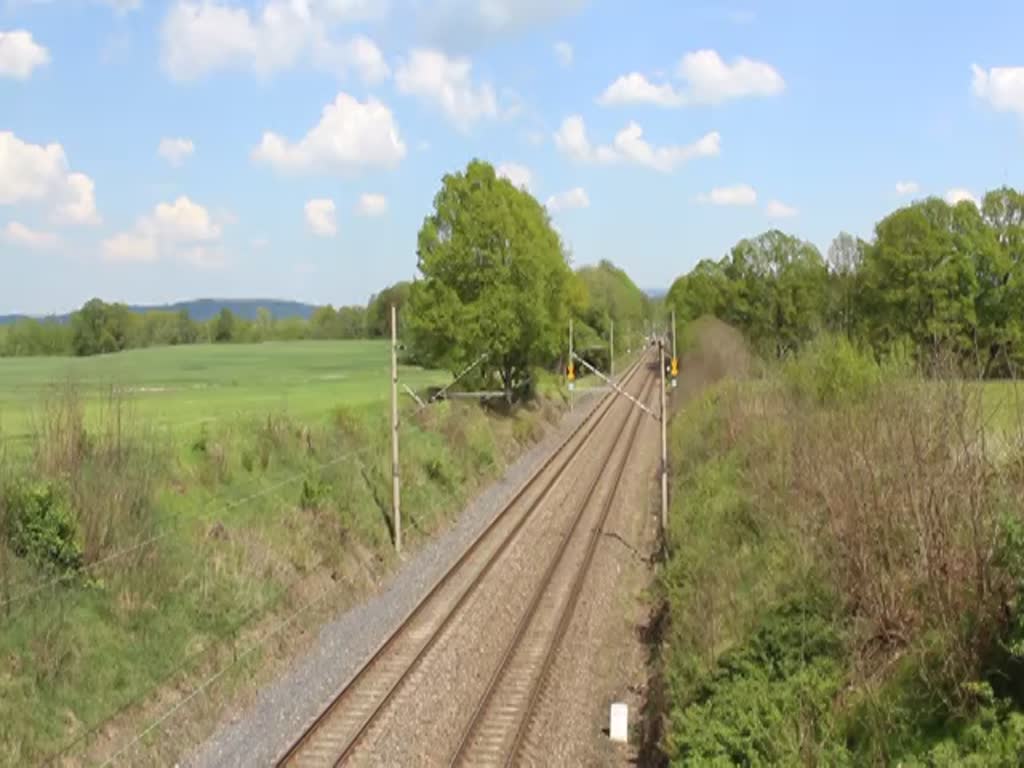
154	151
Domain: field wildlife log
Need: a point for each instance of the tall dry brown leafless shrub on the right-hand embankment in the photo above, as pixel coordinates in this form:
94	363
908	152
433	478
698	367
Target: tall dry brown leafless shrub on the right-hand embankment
901	501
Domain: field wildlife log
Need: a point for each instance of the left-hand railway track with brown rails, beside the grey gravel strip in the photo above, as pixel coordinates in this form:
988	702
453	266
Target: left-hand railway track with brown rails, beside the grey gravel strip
336	736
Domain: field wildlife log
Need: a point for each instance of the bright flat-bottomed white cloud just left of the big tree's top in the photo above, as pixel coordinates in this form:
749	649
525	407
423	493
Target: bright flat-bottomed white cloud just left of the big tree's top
352	136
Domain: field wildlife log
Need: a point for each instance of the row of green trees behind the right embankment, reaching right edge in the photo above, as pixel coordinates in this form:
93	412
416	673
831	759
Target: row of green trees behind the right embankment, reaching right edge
934	277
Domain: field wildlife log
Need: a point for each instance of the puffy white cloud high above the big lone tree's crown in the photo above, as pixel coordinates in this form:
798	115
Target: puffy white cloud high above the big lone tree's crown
447	83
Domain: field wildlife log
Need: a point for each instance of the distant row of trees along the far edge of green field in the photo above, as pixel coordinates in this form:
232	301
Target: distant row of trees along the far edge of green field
102	328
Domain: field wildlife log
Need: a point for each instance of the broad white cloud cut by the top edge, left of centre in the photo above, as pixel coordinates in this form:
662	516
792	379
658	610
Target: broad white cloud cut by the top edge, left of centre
204	36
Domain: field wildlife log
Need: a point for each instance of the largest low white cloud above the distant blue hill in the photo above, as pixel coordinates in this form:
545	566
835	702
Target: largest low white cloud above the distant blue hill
182	230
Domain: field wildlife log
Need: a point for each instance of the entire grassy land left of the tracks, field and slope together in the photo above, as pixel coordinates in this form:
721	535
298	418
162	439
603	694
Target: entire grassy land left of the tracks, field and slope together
263	474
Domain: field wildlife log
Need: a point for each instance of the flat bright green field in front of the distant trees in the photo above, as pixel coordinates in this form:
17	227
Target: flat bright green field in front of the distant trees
182	388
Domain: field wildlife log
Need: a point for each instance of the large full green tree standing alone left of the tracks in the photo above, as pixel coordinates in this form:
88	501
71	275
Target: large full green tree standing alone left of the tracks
495	280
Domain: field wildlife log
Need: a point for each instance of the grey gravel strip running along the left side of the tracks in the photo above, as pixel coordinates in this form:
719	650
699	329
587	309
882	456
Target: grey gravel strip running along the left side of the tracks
263	733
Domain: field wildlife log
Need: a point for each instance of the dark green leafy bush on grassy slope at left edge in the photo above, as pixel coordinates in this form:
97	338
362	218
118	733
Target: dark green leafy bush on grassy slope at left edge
41	527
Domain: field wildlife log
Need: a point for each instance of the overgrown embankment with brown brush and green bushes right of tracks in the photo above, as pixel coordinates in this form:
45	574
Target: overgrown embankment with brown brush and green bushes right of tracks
846	564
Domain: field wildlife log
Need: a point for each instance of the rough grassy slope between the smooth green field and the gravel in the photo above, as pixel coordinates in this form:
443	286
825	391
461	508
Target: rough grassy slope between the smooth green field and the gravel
245	521
